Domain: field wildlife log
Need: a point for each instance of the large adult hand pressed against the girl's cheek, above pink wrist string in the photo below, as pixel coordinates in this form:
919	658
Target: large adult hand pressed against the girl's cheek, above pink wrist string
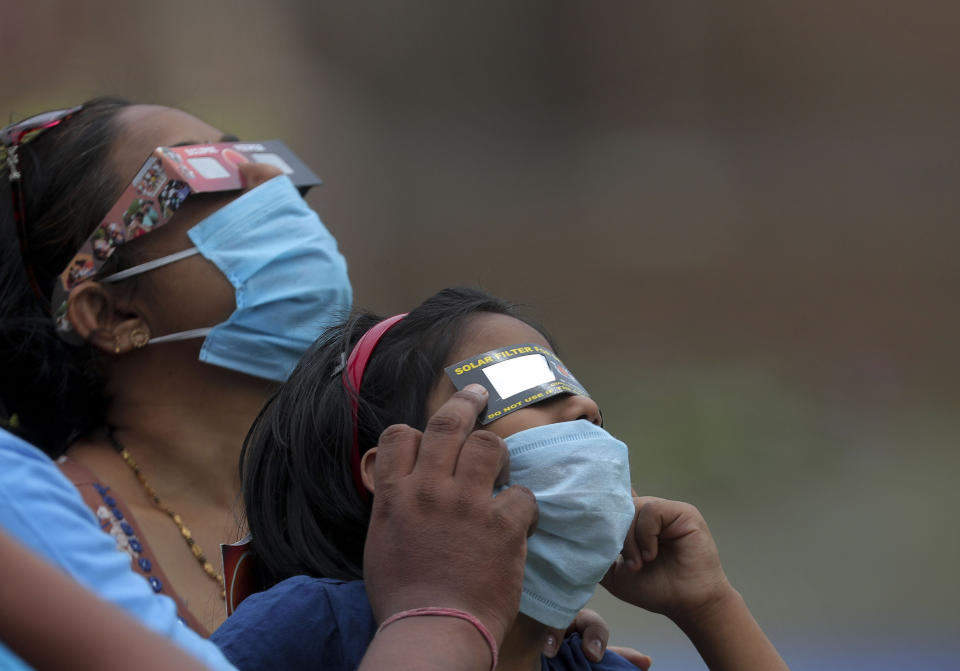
437	537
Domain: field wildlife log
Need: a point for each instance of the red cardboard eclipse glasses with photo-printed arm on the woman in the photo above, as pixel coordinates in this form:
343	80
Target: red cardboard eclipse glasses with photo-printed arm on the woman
166	179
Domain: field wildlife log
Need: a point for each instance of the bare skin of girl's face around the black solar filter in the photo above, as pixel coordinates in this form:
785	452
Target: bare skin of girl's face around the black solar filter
487	331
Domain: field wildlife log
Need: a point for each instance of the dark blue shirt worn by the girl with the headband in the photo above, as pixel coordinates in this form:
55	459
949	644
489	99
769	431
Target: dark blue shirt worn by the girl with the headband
315	623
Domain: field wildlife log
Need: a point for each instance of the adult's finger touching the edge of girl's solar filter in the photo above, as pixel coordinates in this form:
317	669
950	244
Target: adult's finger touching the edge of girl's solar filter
448	429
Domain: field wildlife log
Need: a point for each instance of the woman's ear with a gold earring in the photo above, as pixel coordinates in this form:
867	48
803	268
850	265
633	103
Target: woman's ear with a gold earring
94	315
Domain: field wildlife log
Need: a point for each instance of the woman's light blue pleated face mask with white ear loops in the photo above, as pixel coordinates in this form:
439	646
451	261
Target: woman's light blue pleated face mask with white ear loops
290	280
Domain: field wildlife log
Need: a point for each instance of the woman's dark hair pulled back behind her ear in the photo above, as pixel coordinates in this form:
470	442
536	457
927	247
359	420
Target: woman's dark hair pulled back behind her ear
52	392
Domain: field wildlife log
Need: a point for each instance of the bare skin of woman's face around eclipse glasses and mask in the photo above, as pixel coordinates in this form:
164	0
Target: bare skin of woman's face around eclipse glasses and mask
191	293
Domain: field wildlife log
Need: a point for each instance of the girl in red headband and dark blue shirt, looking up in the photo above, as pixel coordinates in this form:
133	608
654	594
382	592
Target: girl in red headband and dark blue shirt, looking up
309	465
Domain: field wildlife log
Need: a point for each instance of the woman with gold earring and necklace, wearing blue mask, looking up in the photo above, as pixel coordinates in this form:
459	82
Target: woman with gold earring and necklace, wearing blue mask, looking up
149	432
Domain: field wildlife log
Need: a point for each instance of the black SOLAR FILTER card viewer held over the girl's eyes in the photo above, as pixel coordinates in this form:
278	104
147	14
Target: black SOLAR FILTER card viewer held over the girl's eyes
516	376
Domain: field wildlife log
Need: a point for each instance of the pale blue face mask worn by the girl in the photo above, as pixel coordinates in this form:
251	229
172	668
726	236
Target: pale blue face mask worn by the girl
580	475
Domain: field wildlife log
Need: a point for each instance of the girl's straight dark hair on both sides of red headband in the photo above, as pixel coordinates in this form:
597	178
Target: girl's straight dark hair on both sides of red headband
304	512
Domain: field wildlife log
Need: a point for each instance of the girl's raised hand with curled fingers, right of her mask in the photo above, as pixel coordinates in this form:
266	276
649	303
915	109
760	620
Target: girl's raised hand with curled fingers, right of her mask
670	562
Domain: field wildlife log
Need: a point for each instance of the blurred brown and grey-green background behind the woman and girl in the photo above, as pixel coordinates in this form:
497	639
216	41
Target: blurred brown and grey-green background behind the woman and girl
738	221
